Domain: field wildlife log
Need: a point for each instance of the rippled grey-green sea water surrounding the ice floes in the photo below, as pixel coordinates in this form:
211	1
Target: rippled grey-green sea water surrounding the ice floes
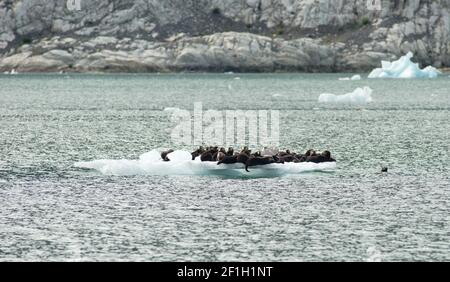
52	210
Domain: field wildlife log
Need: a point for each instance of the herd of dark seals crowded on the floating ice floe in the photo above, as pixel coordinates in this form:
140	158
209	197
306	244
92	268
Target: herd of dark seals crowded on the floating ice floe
246	157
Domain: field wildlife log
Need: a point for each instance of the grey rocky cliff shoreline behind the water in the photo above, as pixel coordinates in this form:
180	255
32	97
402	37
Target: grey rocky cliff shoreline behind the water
220	35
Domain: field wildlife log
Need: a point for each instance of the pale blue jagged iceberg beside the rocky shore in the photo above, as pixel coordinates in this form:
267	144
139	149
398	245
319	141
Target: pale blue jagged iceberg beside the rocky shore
403	68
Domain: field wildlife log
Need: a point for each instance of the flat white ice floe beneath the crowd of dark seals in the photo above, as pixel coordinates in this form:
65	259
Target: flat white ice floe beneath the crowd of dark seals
181	164
